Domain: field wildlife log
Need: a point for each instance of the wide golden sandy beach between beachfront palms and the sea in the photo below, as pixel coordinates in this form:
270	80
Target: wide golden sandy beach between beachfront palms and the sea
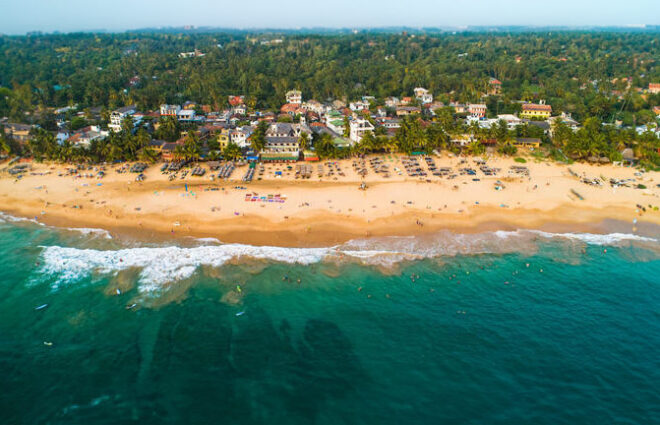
328	209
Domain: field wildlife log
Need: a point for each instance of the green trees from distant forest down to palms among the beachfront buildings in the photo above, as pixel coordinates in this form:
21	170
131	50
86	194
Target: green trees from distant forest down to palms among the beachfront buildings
582	73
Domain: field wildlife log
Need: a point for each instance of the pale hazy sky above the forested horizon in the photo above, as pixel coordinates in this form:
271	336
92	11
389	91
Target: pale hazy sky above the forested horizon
19	17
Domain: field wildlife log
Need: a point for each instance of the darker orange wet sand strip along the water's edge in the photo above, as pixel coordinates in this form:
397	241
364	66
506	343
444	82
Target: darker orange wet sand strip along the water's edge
322	230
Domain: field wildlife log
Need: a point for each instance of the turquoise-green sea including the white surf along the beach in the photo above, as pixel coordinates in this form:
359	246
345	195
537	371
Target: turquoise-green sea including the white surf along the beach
496	328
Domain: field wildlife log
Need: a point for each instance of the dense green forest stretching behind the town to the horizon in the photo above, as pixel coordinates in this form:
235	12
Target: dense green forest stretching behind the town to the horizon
573	71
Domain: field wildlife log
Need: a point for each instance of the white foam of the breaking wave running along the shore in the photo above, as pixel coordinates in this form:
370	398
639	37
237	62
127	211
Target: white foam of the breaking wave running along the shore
161	265
